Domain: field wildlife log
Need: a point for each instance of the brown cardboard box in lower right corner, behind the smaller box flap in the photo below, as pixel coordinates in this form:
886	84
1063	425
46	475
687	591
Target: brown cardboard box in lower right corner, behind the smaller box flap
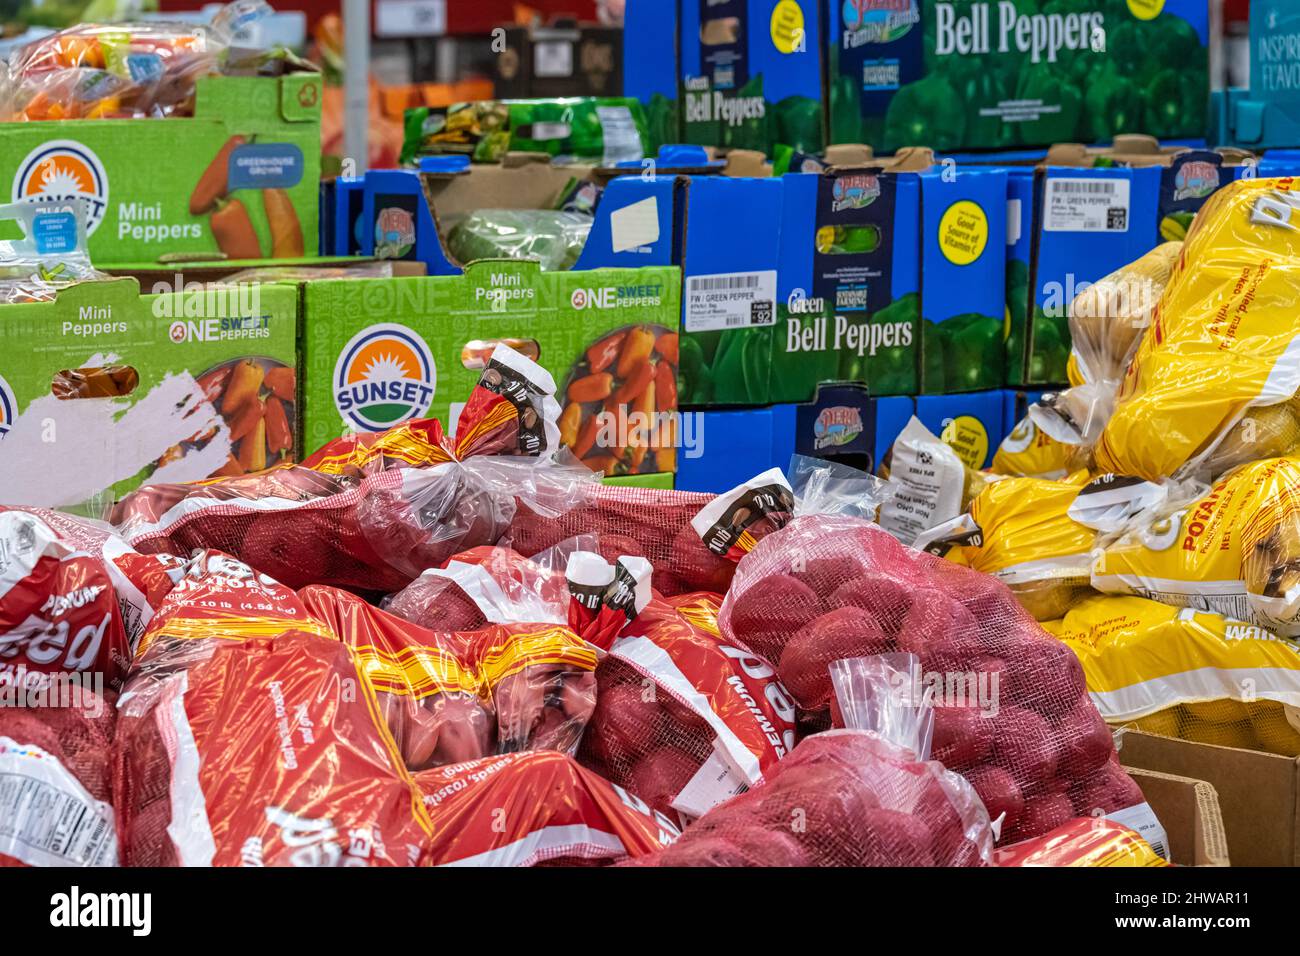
1258	791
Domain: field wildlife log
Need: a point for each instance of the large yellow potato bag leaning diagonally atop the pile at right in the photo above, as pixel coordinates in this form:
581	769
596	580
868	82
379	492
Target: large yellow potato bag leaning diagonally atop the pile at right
1225	336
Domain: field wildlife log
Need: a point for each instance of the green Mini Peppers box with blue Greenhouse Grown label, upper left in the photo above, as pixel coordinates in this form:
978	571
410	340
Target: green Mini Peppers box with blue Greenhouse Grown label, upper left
140	176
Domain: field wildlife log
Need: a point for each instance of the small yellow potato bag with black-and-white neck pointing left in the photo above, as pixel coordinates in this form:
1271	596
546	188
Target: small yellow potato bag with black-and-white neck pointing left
1021	531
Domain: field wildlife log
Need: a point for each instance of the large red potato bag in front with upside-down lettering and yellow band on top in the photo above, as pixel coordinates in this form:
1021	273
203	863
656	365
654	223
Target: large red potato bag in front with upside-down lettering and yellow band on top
249	736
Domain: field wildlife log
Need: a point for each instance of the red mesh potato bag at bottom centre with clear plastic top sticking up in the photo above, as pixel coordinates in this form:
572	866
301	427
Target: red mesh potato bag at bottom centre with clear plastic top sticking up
861	797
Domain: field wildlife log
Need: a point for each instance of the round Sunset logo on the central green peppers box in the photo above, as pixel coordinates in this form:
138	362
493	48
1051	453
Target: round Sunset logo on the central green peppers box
383	378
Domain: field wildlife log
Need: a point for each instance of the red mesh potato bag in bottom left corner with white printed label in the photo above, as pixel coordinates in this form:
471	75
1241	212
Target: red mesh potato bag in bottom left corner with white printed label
57	802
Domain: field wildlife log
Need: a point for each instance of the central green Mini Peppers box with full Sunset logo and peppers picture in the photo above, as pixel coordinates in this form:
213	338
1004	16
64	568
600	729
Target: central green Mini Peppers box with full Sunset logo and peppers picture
379	352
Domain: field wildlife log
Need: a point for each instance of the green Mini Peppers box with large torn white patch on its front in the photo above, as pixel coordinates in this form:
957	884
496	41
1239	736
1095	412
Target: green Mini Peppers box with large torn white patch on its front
103	390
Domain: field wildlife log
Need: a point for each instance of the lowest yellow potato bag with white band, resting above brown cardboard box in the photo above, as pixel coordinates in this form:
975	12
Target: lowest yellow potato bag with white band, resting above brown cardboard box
1189	674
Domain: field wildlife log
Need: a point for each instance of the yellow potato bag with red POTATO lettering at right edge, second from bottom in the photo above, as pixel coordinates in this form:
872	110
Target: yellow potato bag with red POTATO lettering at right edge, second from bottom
1234	551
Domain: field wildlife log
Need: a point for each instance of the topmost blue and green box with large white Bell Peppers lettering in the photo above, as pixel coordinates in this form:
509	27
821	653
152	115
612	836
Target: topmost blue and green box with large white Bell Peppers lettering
999	75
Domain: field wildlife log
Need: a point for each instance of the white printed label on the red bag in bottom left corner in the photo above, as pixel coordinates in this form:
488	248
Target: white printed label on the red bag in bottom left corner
47	819
